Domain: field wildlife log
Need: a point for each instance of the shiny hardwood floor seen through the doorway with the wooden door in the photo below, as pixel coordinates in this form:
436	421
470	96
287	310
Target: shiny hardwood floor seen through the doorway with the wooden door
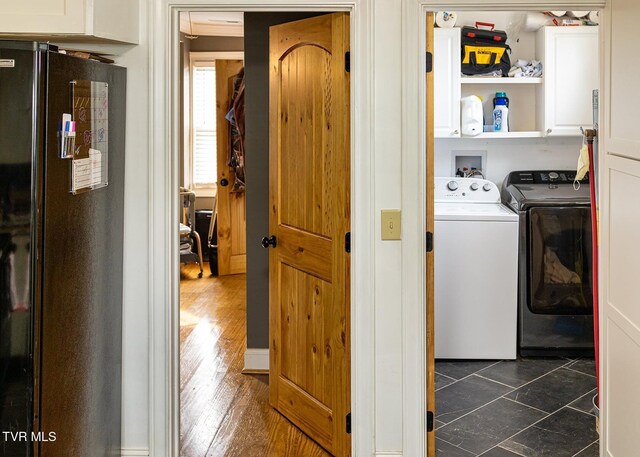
224	412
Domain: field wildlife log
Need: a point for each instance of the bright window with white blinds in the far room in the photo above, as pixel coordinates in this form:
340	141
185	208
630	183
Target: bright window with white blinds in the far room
203	125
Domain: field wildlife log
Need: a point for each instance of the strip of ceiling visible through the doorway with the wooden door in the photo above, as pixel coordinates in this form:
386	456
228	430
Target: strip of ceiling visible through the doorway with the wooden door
212	24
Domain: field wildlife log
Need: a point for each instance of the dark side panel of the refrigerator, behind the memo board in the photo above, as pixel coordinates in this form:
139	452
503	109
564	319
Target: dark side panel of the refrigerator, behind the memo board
82	282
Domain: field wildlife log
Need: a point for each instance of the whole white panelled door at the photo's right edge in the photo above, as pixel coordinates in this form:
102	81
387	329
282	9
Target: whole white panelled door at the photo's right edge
620	245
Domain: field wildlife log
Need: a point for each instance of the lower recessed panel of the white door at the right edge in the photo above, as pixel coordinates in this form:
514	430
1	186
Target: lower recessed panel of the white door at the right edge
621	331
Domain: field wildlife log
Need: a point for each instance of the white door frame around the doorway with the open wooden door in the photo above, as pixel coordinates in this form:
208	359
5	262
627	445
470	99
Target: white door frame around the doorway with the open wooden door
164	263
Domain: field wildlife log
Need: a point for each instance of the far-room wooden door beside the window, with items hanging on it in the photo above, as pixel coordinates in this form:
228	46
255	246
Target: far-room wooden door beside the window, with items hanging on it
232	224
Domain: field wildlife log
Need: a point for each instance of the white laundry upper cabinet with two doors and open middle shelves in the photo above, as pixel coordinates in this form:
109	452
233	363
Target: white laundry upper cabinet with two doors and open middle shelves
557	104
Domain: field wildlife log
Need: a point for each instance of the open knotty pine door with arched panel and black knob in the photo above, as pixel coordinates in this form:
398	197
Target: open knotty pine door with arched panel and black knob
309	215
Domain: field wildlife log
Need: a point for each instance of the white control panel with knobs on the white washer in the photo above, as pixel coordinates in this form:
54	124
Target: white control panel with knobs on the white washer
473	190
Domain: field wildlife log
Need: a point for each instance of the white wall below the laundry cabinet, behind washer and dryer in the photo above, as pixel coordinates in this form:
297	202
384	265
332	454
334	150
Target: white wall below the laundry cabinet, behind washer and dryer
505	155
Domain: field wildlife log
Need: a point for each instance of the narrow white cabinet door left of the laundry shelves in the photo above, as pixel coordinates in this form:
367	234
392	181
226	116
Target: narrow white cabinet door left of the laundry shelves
446	68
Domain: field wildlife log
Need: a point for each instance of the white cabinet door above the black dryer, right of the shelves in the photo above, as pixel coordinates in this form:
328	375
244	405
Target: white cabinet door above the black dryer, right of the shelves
571	72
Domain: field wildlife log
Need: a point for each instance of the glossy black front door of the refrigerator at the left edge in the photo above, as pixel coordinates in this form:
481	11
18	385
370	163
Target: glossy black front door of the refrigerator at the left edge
20	124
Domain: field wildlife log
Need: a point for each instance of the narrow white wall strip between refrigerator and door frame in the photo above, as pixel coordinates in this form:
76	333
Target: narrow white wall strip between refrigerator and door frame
137	260
